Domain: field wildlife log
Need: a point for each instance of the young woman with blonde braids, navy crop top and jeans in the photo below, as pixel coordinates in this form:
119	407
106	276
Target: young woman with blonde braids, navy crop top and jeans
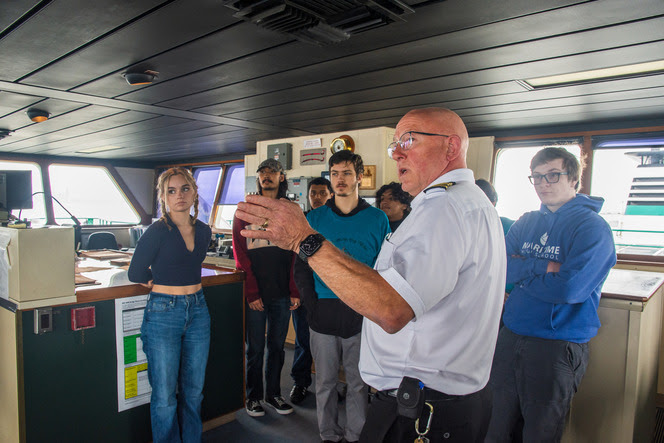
176	322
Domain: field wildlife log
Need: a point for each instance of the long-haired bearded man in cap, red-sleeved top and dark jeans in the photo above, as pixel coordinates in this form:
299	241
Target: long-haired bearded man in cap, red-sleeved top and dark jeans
271	294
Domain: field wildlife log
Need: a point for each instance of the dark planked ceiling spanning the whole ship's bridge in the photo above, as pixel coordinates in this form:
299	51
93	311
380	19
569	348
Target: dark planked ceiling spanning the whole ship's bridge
230	73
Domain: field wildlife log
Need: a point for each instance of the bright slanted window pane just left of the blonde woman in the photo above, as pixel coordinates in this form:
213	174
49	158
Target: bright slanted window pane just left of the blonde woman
90	194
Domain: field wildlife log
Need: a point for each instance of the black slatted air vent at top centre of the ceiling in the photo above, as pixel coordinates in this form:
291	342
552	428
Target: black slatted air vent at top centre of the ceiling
320	22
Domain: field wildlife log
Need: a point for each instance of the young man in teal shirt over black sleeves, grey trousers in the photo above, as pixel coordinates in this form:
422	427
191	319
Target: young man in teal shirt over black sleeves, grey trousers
358	229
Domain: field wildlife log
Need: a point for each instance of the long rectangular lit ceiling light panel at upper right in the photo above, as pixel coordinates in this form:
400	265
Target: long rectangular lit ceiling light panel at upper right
595	75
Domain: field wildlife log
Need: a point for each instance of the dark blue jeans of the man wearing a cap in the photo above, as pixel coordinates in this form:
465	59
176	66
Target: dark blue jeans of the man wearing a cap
276	315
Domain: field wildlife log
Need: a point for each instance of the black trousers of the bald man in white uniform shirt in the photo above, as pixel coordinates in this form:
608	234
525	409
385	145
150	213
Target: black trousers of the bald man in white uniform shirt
455	419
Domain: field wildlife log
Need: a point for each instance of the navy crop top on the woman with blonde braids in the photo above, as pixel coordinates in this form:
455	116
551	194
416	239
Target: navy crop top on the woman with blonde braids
165	251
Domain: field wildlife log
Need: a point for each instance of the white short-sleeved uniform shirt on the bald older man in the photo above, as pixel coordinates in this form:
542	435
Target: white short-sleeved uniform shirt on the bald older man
447	260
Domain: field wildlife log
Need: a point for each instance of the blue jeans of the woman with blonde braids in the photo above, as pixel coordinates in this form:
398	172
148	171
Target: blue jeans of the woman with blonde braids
176	341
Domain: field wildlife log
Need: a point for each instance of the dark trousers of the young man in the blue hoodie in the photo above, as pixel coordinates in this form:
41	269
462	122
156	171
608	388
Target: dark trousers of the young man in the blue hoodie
533	382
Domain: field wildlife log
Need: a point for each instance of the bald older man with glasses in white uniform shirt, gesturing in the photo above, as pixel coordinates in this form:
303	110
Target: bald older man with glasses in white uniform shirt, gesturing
433	301
